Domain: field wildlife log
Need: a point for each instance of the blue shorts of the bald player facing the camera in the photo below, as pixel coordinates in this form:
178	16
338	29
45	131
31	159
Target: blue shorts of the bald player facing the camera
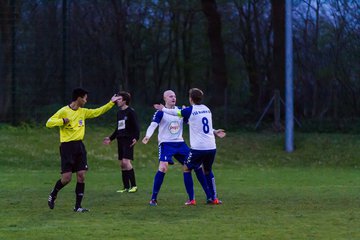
178	150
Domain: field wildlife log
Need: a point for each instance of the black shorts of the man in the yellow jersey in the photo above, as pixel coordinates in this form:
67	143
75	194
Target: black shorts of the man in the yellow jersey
73	156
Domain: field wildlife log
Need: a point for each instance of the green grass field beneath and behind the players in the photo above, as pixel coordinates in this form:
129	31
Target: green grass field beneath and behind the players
312	193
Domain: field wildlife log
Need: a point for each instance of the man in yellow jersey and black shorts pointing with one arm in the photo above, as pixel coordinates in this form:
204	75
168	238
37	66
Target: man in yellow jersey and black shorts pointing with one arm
71	121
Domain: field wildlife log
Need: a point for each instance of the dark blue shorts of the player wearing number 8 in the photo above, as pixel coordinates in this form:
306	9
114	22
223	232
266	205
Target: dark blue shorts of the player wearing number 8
198	157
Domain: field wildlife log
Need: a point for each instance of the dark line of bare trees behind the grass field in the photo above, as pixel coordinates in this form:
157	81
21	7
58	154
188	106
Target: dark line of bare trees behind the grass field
233	50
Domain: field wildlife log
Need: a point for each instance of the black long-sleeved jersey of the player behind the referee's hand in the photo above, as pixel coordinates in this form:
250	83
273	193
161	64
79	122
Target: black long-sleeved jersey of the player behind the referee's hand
127	125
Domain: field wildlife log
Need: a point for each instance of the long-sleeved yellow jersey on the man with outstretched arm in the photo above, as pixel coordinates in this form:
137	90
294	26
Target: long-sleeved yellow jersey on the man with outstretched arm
74	130
